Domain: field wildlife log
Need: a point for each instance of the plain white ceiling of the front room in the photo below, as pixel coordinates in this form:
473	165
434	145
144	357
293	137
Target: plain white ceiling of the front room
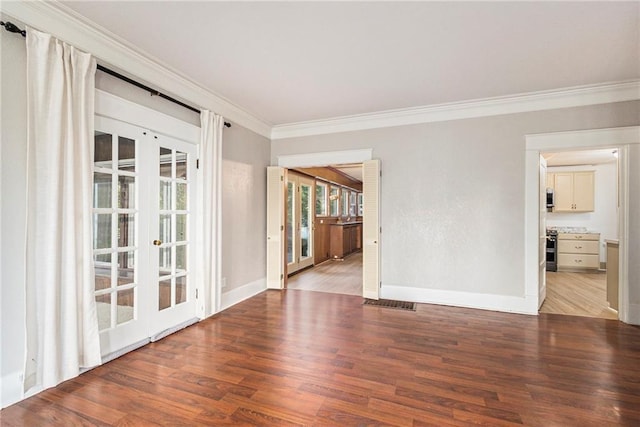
287	62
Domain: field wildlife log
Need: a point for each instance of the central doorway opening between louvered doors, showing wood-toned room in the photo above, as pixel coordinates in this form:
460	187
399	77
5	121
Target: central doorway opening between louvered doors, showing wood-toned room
323	231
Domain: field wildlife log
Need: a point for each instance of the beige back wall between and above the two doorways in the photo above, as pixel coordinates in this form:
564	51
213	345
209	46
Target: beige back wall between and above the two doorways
452	204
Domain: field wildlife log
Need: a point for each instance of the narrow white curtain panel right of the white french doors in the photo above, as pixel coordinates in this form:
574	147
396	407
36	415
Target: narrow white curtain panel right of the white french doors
210	194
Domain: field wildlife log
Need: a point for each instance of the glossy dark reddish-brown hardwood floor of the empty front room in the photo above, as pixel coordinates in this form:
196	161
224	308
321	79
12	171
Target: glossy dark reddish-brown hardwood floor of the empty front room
308	358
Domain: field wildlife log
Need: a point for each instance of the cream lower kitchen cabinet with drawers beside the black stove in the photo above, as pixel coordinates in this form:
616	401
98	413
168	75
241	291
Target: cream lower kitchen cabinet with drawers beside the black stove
578	250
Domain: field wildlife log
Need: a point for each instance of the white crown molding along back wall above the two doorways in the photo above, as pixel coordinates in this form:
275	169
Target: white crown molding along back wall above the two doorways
534	101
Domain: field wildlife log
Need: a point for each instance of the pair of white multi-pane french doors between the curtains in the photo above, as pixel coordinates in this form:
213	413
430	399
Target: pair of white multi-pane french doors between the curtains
143	204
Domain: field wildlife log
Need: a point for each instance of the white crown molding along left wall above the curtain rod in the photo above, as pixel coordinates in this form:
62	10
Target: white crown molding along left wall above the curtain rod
65	24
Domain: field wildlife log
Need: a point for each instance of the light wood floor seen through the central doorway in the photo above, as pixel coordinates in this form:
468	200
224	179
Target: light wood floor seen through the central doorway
338	277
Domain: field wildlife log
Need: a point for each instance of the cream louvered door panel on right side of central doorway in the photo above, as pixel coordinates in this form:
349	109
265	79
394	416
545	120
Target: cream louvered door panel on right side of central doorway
371	229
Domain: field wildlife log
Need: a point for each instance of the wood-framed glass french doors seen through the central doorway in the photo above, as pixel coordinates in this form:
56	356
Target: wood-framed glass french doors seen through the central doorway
299	222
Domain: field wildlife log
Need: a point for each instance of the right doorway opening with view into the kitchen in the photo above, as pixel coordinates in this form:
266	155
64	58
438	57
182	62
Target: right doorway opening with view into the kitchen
581	226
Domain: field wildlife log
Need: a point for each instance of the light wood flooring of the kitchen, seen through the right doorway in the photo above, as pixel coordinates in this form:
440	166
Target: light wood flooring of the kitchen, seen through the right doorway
577	294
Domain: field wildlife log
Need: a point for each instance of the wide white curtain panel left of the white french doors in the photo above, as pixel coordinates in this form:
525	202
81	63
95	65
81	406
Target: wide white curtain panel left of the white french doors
61	321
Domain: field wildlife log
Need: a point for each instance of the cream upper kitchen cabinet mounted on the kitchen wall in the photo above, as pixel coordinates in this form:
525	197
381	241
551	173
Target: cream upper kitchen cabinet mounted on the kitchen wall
574	191
